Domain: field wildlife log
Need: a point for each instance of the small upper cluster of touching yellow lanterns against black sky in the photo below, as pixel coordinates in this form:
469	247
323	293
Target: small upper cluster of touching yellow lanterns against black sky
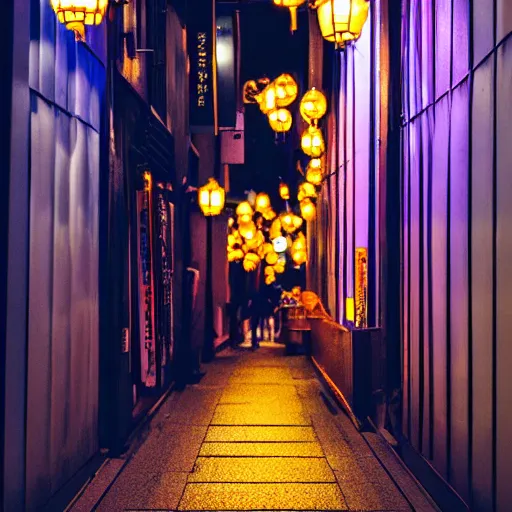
273	99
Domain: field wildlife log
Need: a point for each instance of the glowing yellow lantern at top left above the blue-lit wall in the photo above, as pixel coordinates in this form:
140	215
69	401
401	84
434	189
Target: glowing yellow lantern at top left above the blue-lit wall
75	14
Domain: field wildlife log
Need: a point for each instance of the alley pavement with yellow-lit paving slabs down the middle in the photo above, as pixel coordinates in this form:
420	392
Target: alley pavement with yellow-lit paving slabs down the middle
257	433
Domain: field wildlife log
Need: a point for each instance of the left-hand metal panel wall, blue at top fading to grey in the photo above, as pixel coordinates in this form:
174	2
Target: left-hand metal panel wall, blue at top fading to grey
67	83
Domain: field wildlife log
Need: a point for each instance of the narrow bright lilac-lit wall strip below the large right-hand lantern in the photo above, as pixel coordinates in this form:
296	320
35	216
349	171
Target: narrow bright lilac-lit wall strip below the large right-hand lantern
359	175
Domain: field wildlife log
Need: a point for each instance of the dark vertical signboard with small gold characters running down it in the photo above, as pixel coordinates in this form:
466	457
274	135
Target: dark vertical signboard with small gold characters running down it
201	46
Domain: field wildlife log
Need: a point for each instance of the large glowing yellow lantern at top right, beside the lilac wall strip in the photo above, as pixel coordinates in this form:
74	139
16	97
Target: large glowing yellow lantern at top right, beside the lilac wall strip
341	20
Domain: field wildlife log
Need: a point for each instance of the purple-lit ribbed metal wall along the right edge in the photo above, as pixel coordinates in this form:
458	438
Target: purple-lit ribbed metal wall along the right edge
457	242
